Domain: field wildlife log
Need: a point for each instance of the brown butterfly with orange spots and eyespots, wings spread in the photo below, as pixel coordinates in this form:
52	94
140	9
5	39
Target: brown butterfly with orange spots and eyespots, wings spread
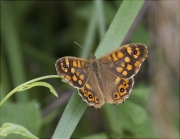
109	77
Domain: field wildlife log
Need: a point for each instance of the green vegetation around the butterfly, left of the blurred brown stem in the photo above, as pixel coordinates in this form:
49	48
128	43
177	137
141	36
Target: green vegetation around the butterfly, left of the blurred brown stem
34	35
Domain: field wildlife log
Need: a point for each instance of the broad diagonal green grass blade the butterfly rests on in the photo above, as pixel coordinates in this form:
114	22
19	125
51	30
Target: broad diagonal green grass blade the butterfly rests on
113	38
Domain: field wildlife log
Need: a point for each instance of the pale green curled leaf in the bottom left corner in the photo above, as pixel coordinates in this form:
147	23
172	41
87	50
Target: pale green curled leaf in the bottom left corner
9	128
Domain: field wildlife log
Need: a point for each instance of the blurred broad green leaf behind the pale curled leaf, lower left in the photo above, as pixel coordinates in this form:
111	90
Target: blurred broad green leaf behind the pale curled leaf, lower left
25	114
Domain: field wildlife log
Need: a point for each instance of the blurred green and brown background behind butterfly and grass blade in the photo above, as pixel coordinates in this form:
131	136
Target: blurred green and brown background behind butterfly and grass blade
35	34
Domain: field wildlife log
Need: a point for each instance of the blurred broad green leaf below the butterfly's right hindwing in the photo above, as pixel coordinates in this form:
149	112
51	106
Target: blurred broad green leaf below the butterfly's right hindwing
135	120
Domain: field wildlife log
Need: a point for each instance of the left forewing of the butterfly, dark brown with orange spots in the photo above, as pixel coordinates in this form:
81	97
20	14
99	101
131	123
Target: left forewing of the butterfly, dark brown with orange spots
74	70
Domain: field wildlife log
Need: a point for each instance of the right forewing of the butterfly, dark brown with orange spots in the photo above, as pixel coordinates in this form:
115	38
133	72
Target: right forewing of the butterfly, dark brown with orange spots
125	61
